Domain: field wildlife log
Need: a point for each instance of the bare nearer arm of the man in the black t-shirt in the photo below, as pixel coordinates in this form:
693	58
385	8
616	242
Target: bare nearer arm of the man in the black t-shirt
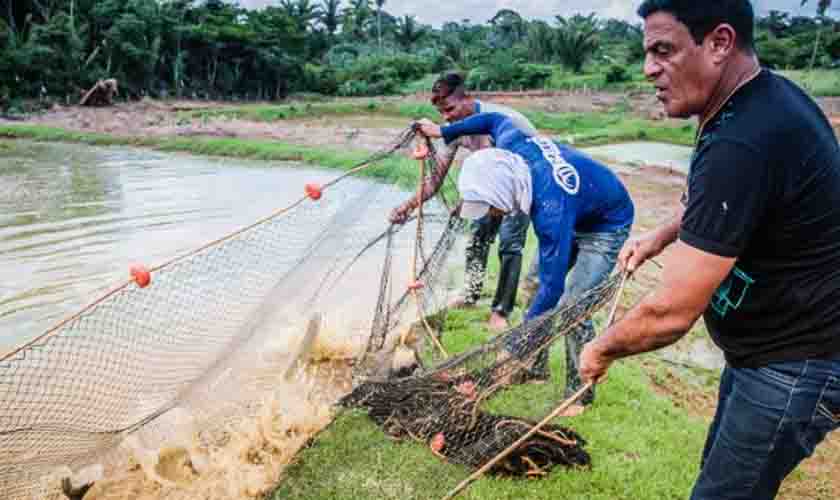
690	278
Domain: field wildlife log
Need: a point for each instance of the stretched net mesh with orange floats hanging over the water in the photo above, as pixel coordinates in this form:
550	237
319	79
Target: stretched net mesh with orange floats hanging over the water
183	345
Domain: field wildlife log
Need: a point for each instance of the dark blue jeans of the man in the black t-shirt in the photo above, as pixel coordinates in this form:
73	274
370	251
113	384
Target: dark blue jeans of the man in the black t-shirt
768	420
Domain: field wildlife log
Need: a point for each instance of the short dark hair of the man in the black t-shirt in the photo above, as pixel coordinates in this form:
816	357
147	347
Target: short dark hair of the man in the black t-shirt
702	17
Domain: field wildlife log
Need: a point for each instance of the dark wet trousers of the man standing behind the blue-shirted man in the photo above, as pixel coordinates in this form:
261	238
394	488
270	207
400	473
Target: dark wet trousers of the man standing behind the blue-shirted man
512	231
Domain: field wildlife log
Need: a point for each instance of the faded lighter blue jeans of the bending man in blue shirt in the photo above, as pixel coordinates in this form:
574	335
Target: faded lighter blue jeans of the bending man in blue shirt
593	259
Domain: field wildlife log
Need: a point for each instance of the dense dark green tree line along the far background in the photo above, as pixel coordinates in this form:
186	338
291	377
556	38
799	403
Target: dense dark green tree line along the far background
54	49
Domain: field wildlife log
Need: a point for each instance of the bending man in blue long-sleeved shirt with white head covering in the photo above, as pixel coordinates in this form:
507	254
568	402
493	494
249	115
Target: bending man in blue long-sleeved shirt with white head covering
581	212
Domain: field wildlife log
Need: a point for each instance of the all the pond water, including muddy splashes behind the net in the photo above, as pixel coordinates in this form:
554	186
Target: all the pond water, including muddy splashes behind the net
72	220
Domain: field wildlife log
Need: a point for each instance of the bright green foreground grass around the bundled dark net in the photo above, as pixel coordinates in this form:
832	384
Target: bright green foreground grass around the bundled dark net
641	447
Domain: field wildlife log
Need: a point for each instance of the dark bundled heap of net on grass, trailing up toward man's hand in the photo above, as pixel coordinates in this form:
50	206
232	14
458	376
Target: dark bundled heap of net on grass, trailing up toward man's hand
442	407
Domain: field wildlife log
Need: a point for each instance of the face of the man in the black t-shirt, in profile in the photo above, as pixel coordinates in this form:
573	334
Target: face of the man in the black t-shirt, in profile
684	73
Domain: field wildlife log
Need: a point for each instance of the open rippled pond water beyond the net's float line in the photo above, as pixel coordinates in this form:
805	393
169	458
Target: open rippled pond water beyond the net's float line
74	218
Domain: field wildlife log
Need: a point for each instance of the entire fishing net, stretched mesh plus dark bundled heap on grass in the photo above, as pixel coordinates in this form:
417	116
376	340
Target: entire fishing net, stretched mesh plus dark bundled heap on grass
140	361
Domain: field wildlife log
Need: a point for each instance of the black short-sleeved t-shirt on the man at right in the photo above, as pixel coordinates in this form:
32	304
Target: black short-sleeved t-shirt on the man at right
764	187
